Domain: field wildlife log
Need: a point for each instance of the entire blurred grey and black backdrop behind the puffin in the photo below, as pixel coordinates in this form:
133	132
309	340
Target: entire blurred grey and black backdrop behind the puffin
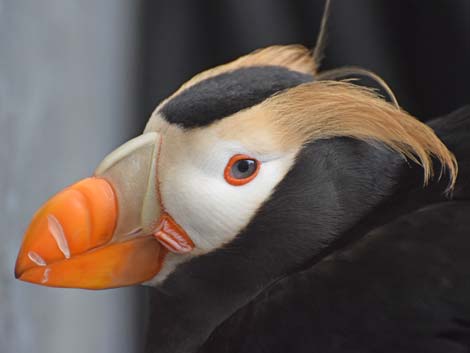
79	77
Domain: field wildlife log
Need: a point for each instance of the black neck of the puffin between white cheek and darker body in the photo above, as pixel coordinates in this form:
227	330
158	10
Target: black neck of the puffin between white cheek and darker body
333	187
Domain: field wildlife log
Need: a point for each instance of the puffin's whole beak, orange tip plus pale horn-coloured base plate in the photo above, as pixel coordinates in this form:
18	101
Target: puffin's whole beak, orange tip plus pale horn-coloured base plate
98	233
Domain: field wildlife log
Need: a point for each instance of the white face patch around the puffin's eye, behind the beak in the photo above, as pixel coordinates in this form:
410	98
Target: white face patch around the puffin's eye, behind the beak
195	193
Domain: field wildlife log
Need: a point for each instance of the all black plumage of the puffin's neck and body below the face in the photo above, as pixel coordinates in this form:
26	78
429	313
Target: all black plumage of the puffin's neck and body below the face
351	254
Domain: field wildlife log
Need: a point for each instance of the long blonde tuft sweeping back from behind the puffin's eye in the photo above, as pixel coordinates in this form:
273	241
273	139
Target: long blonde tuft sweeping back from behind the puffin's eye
326	109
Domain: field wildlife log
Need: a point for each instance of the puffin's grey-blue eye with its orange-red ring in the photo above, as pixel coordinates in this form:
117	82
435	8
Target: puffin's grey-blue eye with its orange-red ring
241	169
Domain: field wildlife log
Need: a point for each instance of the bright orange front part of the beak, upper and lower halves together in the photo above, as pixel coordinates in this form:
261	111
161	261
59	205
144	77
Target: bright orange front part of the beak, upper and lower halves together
70	243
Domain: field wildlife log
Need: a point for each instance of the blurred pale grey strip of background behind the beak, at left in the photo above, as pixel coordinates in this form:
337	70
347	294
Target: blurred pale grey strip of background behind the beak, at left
67	97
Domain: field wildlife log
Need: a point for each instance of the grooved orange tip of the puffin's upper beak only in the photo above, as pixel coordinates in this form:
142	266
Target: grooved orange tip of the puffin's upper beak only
76	220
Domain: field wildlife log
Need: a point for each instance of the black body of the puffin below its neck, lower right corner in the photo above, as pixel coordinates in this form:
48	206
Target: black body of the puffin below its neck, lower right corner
403	288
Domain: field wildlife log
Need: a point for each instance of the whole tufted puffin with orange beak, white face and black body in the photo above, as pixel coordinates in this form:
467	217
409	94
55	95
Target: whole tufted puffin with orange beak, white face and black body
274	209
